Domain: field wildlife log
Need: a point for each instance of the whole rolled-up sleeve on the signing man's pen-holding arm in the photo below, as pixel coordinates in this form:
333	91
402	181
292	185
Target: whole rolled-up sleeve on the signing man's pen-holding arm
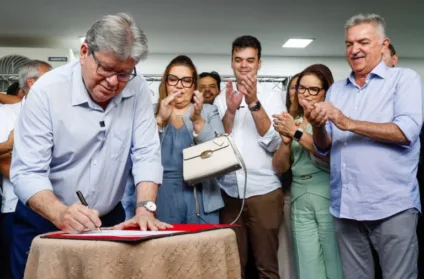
32	151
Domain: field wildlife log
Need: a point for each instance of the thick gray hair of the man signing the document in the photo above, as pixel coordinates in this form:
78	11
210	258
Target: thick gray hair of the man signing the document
119	35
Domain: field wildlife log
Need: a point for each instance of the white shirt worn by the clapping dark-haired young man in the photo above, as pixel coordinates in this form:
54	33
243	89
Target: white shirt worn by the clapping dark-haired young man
256	151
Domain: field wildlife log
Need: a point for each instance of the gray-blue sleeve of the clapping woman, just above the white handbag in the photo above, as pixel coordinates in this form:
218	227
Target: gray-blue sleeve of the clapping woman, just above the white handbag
213	124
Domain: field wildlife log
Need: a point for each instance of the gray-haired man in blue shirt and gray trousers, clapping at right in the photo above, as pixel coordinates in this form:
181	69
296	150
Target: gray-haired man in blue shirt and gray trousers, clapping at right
370	124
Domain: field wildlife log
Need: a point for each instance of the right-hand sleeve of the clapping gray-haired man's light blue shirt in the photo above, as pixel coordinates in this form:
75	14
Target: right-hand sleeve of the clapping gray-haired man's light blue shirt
408	106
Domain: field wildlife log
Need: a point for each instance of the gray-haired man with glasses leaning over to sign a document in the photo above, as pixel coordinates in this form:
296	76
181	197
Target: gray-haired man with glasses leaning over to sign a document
82	127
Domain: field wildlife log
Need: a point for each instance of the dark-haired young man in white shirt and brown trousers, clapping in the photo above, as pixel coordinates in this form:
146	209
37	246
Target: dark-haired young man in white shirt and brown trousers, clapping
246	110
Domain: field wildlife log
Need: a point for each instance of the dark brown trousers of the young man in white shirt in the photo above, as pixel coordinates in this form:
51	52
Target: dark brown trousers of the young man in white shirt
258	230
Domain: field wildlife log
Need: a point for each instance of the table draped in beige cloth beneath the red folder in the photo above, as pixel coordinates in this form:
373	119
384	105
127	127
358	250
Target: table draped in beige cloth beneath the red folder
209	255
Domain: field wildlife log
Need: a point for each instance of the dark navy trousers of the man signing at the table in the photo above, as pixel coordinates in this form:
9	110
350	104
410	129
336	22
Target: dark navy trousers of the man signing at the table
28	224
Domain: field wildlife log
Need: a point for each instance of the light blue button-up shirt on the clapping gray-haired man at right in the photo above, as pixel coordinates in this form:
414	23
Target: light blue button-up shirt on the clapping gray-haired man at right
370	179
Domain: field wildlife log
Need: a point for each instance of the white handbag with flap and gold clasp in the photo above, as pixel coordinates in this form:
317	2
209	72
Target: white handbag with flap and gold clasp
210	159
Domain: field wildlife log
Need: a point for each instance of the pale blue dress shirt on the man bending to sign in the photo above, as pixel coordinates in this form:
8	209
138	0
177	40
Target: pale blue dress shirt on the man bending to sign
60	144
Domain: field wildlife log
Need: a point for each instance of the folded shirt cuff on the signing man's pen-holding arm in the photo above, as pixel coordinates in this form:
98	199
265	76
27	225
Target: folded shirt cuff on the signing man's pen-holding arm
28	185
